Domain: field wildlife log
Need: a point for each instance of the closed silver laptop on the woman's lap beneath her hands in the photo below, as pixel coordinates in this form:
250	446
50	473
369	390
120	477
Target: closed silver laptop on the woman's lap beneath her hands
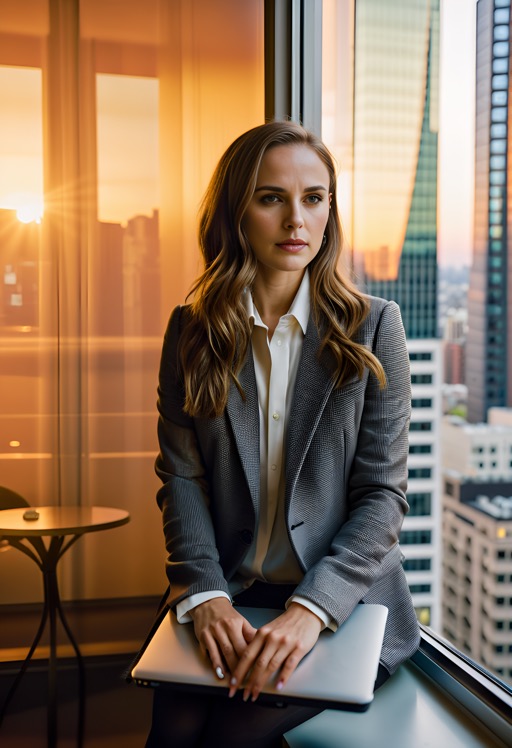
339	672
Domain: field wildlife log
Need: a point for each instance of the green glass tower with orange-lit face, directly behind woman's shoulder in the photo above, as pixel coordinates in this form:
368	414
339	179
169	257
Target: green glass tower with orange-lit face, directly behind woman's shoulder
395	156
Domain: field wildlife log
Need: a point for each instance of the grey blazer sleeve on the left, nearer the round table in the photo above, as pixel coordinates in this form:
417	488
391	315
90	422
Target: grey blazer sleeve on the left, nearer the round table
192	563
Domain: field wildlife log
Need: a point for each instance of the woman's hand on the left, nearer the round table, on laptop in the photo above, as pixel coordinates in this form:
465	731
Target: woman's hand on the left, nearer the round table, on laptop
223	634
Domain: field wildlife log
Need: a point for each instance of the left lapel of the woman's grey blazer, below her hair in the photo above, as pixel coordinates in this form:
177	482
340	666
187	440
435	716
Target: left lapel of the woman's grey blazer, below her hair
244	419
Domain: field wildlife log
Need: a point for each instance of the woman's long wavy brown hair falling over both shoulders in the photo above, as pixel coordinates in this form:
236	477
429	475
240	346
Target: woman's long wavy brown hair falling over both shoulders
216	333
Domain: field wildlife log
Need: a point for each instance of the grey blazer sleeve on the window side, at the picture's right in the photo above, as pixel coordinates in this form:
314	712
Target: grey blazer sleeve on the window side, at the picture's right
366	544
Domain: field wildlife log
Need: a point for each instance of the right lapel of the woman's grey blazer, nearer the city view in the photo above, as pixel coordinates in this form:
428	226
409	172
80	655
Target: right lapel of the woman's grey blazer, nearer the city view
313	386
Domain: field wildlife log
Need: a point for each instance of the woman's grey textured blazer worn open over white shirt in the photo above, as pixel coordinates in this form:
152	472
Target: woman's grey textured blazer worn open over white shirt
346	472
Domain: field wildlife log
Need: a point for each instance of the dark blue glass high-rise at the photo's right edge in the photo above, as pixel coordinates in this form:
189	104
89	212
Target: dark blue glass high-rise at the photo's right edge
489	343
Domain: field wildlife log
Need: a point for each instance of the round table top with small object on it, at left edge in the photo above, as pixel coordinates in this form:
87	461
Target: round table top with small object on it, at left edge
61	520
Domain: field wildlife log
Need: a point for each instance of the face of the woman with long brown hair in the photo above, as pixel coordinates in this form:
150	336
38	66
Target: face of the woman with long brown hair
287	215
